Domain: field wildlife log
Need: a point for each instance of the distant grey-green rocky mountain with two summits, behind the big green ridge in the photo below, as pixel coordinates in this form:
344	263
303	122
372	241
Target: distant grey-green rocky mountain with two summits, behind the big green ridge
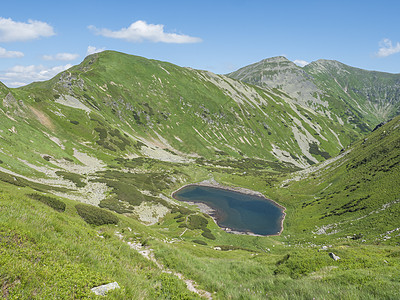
350	95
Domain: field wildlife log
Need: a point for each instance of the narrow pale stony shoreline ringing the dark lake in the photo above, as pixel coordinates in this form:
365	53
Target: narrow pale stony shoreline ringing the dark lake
204	208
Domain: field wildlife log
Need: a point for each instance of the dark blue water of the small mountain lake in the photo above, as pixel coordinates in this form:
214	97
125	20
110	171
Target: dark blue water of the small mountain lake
237	211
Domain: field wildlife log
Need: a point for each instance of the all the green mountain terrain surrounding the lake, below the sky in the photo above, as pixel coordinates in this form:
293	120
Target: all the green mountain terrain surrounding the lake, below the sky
122	133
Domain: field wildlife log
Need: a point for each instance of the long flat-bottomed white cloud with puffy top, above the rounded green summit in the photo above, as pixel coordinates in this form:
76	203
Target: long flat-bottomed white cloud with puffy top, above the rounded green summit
141	31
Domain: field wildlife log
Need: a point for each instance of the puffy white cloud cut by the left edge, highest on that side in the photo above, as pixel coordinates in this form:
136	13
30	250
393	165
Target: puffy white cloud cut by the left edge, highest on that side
11	31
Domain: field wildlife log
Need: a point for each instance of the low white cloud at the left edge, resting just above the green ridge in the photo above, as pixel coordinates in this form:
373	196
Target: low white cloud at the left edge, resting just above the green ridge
21	75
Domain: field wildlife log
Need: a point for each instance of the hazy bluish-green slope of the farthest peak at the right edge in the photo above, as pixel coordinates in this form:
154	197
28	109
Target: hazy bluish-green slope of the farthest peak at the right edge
371	96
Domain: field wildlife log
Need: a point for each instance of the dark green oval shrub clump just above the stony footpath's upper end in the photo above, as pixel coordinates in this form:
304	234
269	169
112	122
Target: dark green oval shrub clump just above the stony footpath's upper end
95	216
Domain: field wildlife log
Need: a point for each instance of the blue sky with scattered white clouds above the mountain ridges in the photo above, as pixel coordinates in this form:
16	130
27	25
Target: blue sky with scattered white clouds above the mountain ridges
38	39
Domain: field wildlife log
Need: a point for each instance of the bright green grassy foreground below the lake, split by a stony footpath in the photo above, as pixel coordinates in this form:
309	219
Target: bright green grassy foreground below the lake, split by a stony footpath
47	254
